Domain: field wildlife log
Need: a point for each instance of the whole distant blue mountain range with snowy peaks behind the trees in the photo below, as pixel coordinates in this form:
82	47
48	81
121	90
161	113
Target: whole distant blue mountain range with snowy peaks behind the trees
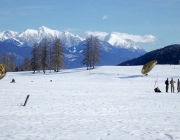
114	48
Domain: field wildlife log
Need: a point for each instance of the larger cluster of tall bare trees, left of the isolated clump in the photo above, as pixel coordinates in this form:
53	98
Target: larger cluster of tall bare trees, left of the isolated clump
45	56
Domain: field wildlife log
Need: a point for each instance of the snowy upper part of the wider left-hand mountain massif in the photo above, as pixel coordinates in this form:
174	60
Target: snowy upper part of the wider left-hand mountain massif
30	36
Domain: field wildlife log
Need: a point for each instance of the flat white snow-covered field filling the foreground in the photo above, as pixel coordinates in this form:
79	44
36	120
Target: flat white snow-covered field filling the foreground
107	103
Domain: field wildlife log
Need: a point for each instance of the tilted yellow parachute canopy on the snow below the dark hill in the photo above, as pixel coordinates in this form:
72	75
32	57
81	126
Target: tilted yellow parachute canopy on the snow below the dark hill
148	66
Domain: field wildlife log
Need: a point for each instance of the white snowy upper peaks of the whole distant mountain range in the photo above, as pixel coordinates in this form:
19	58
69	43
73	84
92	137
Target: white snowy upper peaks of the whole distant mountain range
30	36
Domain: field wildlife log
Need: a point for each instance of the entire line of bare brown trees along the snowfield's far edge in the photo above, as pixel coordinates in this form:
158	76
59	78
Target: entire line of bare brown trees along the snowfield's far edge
49	55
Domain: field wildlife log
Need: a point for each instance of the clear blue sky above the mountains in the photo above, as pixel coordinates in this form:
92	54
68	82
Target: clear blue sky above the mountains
157	18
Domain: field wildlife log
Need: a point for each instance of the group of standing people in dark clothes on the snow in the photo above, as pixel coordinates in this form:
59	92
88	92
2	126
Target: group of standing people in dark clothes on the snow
171	82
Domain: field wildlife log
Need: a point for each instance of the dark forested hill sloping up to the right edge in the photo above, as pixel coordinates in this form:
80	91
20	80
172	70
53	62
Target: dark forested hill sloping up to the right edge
166	55
